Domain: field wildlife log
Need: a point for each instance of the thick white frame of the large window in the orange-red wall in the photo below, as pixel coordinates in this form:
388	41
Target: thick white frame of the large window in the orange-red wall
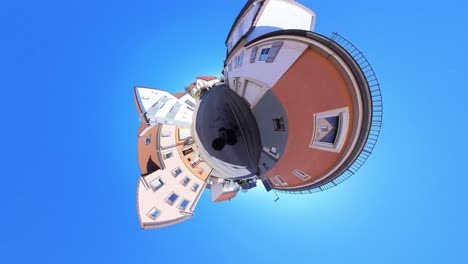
343	126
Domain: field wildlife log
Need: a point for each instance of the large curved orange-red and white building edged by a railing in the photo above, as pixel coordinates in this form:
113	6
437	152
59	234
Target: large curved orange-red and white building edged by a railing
316	100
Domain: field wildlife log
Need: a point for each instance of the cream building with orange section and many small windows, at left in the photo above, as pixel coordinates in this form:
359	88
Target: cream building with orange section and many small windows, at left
173	176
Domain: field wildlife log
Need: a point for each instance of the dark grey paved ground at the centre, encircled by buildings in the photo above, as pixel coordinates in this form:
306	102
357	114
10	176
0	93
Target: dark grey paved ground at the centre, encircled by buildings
223	108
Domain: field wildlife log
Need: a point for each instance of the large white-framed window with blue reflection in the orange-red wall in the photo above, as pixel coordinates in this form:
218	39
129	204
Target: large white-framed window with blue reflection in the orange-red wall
330	129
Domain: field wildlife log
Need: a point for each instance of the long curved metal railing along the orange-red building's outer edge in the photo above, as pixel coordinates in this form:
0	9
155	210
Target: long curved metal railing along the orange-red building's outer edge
376	121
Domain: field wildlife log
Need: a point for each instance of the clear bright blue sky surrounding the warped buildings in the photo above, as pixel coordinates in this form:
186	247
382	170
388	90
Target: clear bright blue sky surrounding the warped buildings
69	137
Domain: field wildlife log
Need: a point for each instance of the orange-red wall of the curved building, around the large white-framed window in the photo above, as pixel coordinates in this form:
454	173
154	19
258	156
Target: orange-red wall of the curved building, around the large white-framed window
312	85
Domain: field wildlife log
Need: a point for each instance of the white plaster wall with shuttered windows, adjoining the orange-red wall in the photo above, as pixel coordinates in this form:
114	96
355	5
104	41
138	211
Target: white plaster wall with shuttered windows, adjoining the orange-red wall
268	73
